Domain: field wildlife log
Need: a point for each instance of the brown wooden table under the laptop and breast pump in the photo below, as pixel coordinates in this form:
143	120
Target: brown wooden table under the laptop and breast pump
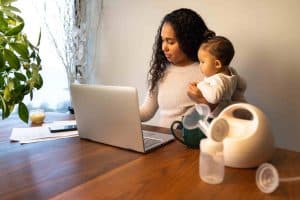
73	168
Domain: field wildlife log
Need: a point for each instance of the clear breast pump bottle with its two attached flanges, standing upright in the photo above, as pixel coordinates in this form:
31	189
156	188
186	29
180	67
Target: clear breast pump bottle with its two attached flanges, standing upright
211	160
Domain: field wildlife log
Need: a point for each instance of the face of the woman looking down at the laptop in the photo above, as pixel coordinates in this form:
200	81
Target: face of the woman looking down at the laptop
170	47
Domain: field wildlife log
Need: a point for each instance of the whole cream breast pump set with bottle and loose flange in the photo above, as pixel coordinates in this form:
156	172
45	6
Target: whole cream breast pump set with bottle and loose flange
241	135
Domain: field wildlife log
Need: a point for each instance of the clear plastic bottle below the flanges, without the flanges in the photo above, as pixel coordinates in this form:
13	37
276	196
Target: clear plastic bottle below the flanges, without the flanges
211	161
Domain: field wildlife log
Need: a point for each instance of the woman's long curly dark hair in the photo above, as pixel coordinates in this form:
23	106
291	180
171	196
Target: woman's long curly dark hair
190	30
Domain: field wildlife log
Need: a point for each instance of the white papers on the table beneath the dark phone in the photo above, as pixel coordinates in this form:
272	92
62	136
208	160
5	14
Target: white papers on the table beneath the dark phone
41	133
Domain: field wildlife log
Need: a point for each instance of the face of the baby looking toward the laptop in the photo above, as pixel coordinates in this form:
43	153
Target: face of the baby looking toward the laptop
207	63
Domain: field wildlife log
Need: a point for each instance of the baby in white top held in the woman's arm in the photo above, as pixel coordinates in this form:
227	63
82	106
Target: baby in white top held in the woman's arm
220	80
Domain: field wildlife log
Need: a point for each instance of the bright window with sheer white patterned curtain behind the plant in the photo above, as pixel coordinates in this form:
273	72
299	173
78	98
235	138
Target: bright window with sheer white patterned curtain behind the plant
70	35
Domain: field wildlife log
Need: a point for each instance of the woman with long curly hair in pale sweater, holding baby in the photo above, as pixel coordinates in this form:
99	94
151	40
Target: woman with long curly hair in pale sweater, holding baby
174	65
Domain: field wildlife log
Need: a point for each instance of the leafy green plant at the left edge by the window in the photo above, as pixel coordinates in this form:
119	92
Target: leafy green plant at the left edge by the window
20	63
